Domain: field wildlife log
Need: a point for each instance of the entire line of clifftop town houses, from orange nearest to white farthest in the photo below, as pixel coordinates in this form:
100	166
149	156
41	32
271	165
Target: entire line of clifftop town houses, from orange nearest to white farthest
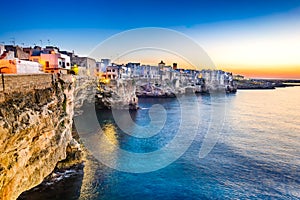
16	60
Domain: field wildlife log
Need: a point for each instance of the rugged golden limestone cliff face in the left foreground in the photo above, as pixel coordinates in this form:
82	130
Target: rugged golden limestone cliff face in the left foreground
35	130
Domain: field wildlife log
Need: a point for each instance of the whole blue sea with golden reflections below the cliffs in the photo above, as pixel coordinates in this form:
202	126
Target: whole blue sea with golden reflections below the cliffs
232	146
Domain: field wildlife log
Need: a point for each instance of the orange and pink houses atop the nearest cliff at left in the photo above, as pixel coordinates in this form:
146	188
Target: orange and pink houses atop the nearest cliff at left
22	60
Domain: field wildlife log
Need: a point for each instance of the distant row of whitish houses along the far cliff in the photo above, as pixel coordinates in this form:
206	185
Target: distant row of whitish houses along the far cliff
162	72
